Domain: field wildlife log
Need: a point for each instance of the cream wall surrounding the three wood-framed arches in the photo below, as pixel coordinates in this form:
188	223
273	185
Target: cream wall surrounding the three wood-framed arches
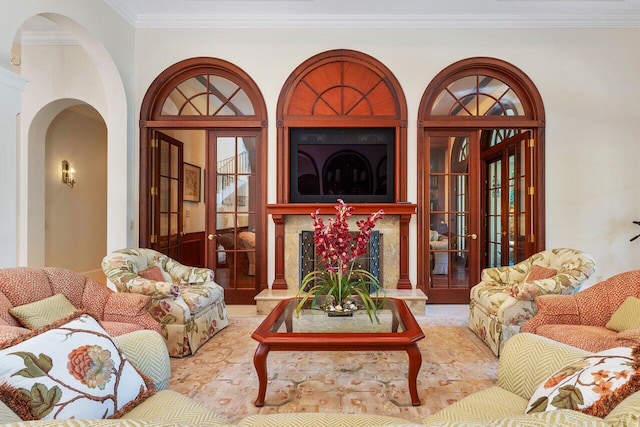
587	79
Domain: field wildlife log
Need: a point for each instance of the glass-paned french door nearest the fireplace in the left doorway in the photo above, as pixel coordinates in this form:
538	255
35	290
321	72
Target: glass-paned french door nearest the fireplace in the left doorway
232	223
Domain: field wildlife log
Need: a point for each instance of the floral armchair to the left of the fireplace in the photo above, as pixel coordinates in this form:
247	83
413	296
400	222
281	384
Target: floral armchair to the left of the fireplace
185	300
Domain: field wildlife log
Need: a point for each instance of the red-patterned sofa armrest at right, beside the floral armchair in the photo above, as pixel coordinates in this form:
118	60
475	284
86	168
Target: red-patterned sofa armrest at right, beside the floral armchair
553	310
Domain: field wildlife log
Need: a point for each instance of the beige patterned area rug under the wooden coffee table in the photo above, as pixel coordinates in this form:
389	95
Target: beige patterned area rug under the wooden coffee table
221	376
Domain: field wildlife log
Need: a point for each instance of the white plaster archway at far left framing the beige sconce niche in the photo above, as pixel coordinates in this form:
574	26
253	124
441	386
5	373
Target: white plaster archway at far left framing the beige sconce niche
39	108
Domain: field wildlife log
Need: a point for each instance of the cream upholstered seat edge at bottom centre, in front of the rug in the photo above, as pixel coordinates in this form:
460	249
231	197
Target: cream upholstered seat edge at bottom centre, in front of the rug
321	420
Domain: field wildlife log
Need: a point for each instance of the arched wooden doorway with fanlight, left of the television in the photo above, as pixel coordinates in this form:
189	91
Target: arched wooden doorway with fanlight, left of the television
203	172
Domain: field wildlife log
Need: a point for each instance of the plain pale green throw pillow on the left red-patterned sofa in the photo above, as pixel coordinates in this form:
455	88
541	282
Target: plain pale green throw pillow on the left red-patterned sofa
44	312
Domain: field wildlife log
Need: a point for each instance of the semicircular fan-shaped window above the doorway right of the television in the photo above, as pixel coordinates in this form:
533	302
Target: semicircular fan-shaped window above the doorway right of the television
477	96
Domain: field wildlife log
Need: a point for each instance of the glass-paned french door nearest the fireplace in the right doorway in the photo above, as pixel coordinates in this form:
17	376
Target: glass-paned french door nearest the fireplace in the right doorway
454	217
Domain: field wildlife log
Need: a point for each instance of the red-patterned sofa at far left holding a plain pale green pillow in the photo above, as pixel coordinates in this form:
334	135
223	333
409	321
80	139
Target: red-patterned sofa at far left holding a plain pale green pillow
33	287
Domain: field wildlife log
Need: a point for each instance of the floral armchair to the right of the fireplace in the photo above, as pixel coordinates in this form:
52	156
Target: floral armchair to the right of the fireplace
504	298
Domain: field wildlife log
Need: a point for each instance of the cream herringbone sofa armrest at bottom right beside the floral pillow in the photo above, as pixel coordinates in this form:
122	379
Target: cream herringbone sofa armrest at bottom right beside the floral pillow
528	359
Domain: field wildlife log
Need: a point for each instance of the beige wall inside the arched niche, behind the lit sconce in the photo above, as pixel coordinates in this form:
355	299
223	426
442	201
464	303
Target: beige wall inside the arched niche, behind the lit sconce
76	218
